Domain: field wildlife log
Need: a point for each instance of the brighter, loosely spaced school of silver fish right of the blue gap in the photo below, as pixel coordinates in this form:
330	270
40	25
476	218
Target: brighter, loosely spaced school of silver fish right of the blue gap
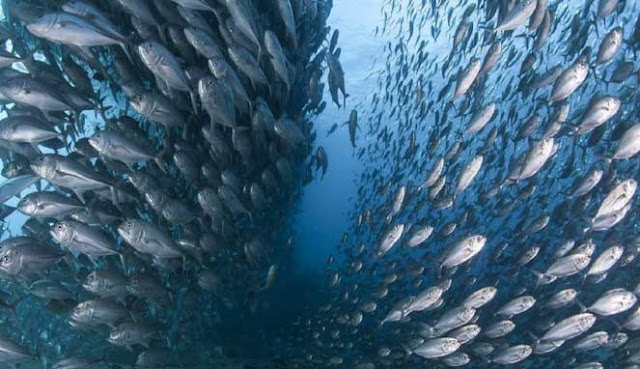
496	219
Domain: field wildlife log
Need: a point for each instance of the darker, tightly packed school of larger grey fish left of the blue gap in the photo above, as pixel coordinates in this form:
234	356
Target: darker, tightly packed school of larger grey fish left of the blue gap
155	148
